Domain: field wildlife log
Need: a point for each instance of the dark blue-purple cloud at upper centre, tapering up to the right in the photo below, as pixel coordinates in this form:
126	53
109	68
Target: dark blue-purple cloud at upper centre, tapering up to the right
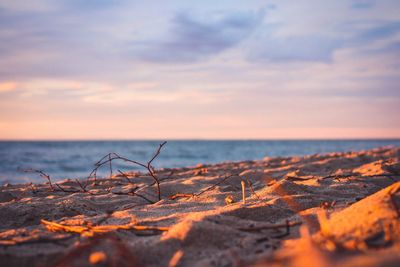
194	39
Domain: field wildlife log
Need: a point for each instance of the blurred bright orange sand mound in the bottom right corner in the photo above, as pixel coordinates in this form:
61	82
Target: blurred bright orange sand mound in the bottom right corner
366	233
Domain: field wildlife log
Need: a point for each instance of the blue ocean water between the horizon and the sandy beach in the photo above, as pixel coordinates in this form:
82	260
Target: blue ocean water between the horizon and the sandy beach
75	159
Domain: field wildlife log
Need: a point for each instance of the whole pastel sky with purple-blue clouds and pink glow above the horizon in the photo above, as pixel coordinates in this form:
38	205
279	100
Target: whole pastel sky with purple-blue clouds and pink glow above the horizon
98	69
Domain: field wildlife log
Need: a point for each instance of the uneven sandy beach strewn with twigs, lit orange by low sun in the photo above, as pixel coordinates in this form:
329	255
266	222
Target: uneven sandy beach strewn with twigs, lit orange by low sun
338	209
